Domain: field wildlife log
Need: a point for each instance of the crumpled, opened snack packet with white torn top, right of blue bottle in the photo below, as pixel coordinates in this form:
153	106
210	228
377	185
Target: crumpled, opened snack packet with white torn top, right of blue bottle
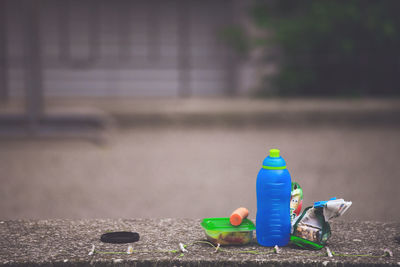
311	229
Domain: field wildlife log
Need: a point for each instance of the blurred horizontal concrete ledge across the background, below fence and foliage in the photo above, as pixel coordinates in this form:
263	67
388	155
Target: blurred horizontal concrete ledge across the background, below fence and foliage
136	112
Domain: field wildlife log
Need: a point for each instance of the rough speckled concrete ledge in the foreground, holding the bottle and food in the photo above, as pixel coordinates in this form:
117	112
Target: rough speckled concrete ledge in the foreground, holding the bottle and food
67	243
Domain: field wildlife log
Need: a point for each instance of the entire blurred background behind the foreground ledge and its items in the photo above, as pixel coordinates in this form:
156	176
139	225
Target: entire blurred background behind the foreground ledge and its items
150	109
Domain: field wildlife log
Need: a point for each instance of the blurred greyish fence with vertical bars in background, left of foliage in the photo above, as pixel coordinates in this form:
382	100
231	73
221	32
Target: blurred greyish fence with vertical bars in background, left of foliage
116	48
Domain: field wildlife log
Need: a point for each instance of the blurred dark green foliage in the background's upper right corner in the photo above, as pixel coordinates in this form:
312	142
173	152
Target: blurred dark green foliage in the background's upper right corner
332	48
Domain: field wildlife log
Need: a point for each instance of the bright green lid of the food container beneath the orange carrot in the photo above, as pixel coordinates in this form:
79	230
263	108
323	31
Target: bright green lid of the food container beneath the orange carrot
224	225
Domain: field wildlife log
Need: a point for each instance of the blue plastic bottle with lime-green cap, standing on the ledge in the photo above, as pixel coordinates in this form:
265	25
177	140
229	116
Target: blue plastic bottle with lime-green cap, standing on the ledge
273	202
